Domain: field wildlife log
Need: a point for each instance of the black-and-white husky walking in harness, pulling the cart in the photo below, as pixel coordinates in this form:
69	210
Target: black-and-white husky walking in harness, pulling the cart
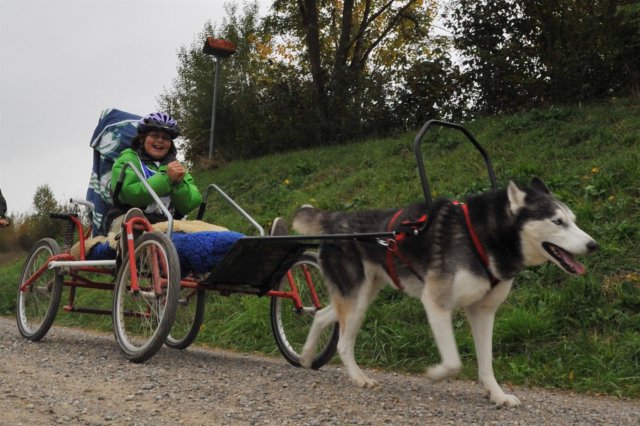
460	256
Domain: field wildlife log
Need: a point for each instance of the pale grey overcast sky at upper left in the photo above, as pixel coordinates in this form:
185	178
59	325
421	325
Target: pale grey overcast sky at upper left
63	62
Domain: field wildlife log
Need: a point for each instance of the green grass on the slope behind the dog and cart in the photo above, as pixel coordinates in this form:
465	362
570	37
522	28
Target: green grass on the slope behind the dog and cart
557	331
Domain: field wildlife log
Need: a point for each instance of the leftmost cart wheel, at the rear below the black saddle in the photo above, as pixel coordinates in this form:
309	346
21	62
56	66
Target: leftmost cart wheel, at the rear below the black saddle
38	303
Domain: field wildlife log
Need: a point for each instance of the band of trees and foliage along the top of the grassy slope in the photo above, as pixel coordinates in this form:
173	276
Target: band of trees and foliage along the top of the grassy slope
315	73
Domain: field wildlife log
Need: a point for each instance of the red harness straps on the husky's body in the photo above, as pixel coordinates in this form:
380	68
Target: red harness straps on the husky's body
407	228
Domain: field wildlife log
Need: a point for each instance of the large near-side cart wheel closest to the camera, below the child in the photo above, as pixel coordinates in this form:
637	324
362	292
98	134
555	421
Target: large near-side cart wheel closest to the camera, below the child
142	320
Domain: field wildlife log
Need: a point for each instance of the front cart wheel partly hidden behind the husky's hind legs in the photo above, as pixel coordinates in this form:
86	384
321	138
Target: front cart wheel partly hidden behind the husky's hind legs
291	326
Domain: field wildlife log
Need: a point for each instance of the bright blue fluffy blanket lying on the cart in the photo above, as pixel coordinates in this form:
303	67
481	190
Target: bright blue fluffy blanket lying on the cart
198	252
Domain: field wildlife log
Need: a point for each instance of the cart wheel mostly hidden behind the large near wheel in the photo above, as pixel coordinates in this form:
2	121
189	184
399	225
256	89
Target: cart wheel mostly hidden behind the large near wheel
189	317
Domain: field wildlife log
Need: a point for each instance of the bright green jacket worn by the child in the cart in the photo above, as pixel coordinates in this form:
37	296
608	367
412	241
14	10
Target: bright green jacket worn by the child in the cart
184	196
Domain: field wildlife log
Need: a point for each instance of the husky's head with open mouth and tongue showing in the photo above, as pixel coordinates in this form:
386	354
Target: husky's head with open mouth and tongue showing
547	228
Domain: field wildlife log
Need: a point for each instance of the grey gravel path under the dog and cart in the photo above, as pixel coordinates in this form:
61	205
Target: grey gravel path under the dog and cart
78	377
